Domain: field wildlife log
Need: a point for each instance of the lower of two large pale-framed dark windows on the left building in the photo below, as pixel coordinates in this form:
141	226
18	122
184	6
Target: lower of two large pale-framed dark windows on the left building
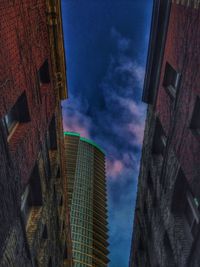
32	196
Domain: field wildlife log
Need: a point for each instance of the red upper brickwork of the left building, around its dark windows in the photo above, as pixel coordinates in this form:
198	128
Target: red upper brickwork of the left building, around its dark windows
24	46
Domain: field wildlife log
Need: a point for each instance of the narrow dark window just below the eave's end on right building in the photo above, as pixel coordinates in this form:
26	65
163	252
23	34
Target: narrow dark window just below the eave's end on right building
159	140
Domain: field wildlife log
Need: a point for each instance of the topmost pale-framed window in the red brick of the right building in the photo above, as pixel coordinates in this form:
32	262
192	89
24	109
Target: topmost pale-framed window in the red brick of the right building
171	79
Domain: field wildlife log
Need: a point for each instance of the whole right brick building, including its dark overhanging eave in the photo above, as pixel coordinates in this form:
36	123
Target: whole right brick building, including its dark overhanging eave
166	228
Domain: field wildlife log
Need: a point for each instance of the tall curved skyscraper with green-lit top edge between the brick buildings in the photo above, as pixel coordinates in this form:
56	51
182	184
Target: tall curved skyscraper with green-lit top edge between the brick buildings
85	162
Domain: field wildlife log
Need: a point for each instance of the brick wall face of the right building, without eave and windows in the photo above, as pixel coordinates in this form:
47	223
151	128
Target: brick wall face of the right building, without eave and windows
161	237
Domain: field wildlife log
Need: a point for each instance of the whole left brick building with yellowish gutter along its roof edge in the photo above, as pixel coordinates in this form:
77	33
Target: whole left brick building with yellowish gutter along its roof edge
34	218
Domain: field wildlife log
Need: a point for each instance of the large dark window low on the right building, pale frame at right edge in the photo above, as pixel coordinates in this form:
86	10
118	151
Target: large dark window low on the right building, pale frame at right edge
185	204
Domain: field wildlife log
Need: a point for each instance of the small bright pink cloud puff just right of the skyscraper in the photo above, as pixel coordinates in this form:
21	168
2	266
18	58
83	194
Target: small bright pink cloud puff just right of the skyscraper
114	168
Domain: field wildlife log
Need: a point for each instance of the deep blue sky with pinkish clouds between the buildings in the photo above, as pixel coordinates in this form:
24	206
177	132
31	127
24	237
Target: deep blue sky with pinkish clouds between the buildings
106	47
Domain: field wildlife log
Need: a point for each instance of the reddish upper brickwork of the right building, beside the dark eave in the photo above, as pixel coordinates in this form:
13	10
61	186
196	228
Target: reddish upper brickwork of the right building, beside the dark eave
182	52
